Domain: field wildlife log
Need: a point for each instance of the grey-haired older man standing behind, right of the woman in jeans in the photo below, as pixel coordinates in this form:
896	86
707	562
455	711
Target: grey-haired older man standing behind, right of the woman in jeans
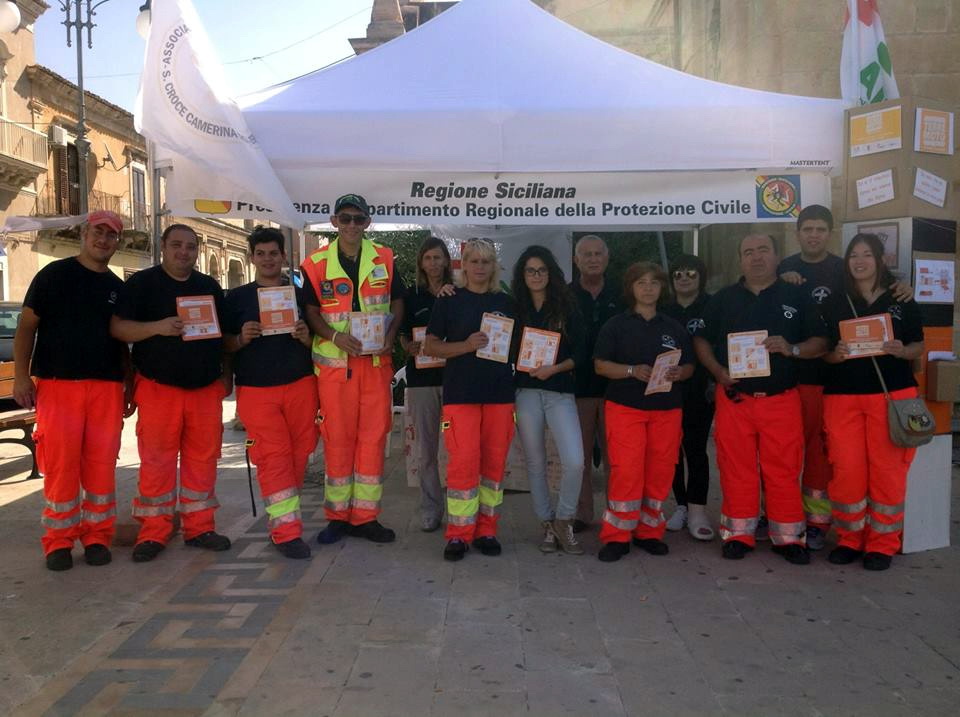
598	302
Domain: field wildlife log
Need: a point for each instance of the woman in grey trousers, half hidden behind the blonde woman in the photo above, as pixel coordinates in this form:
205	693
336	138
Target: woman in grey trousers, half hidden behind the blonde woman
424	398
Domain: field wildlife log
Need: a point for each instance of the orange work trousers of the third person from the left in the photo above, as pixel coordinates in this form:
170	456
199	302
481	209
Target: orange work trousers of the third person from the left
281	423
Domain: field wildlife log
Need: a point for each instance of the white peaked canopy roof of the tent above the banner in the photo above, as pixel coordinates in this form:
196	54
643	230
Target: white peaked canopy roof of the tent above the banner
501	85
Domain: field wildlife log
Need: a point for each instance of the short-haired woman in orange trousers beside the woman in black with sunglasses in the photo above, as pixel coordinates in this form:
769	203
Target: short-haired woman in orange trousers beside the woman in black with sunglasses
644	353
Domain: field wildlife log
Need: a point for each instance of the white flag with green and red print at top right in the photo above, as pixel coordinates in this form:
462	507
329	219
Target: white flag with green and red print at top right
866	73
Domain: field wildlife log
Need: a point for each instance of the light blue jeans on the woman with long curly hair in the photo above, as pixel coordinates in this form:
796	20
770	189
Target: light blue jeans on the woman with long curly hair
535	410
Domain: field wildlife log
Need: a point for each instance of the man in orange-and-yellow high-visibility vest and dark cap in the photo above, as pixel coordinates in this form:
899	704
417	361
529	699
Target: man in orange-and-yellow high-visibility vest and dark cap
351	277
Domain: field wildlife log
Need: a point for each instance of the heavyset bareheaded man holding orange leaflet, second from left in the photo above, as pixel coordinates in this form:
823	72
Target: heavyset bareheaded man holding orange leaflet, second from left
172	314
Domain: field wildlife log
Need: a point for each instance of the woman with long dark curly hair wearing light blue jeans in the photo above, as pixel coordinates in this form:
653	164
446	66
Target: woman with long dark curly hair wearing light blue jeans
545	394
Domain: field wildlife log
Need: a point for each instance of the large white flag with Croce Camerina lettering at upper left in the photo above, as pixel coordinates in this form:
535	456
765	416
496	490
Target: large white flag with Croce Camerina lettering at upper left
184	107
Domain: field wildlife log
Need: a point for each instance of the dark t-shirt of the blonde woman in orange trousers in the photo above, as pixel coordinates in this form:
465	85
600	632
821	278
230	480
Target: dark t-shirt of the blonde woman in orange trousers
467	378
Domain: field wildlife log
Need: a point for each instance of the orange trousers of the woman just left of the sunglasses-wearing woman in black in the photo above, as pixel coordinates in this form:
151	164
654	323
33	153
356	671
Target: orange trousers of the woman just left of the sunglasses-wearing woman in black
642	447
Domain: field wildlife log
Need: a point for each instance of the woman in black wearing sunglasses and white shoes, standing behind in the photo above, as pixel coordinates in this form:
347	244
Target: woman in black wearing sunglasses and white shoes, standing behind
689	278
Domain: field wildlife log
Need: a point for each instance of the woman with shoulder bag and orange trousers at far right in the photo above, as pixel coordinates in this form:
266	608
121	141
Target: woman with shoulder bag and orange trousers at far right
869	480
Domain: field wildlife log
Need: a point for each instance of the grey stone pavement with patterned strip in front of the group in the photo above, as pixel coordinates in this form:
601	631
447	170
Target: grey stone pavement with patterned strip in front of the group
365	630
